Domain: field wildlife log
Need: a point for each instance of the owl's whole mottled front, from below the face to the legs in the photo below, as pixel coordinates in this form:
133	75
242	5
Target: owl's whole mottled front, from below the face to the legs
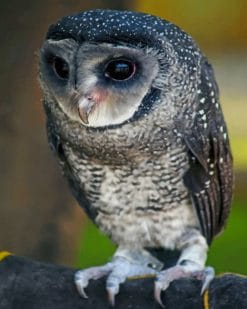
115	167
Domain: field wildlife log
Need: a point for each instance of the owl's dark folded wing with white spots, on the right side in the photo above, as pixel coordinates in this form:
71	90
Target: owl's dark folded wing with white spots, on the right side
210	176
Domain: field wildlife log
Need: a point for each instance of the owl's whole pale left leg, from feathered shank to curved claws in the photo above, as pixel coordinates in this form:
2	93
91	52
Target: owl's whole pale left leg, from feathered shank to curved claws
125	264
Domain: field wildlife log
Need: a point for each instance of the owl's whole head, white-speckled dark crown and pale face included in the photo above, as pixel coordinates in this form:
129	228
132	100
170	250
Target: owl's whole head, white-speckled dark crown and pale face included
104	67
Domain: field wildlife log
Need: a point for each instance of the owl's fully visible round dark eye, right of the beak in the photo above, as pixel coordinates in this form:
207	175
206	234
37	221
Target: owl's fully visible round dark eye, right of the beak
120	69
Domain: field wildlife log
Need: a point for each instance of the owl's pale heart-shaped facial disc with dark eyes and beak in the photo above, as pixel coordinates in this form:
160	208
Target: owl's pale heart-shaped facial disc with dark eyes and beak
97	84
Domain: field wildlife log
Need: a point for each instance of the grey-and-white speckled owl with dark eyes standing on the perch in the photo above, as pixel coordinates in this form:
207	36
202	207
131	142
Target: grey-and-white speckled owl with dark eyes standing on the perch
133	114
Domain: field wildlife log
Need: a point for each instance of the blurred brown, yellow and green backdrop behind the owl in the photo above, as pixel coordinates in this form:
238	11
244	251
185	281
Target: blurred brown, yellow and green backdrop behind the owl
38	217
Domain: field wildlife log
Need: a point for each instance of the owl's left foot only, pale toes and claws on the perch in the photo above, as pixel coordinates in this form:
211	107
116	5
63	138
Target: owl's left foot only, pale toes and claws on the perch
117	271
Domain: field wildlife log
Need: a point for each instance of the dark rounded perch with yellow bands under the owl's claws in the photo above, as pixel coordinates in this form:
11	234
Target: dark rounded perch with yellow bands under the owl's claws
30	284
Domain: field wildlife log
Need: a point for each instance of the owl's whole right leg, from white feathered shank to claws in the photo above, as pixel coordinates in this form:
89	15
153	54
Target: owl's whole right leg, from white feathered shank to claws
191	264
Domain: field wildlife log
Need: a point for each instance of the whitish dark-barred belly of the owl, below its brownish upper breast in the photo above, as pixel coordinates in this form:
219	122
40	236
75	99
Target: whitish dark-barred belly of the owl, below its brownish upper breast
140	203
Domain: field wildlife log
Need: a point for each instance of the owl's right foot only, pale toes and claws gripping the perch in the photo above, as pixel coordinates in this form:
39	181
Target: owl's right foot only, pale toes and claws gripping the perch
183	270
